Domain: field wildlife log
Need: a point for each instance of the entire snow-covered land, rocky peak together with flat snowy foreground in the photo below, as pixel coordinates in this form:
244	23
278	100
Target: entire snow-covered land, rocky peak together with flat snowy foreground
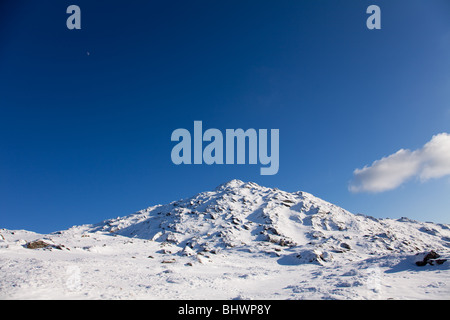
238	227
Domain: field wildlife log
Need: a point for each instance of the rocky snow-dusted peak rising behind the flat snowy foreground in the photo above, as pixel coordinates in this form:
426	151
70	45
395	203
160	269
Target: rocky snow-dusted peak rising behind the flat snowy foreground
246	215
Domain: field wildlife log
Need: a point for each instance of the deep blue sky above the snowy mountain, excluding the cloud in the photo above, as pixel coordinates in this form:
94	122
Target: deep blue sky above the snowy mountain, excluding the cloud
86	137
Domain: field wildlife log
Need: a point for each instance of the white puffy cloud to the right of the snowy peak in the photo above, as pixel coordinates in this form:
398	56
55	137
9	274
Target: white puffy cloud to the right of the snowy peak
429	162
